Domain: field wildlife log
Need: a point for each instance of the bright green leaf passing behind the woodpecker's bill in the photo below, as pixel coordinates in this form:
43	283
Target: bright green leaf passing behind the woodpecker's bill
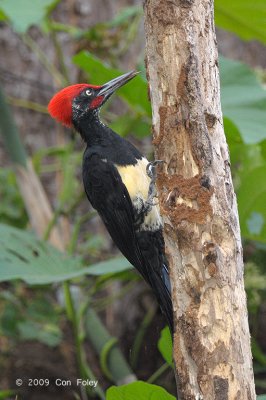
135	92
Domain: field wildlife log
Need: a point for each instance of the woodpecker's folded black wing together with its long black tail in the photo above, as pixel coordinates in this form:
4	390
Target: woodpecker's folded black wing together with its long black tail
109	196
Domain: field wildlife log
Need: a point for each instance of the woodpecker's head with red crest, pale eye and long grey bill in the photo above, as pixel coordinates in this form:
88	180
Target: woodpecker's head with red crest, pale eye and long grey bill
82	101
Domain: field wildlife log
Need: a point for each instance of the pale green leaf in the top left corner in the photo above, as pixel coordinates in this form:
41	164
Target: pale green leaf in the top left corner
25	13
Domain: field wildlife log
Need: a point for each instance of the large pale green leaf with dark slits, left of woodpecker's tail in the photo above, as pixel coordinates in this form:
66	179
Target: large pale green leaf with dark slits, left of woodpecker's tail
23	256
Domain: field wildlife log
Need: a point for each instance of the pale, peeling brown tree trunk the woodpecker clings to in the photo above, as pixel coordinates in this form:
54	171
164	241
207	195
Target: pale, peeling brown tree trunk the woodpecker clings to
198	204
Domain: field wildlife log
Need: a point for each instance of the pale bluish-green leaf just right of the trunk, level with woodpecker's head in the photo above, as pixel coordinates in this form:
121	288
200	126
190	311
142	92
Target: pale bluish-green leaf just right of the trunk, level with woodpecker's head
243	100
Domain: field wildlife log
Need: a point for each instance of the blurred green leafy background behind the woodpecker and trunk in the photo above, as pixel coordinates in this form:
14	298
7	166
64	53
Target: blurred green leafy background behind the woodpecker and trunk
80	311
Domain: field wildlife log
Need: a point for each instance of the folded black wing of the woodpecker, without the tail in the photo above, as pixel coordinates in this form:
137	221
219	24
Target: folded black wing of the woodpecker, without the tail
109	196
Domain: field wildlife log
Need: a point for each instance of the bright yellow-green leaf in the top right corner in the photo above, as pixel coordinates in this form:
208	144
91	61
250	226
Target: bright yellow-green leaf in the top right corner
243	17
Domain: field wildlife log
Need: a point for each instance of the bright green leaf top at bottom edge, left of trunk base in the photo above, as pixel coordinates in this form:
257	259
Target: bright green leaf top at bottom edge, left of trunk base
138	390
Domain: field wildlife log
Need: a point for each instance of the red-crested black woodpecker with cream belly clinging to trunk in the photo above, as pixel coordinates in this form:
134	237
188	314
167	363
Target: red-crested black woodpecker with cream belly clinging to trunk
119	183
